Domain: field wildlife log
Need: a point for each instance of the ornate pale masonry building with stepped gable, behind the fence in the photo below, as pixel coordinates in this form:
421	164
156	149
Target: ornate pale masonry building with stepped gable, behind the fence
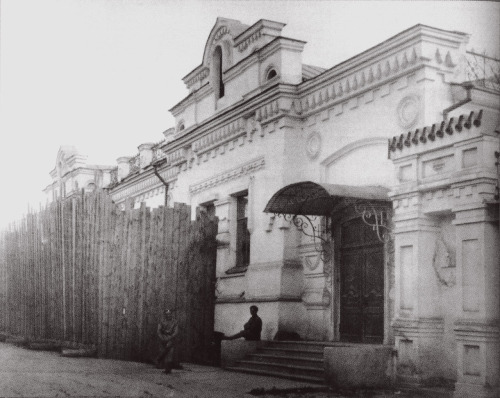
347	210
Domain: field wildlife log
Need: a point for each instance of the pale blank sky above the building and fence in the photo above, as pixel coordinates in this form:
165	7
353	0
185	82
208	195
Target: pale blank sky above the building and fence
102	74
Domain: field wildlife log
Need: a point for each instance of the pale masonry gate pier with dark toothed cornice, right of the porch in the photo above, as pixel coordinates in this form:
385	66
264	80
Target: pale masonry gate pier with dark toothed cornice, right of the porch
447	253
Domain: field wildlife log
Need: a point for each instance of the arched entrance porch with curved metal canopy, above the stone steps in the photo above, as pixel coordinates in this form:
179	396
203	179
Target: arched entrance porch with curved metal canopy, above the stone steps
344	232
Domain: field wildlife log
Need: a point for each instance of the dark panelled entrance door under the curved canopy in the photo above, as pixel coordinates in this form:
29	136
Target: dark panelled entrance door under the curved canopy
361	284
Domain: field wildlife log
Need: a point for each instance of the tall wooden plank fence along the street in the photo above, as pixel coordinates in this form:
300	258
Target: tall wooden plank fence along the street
83	271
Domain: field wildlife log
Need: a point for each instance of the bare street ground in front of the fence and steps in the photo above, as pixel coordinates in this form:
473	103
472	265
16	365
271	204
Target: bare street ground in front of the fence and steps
26	373
